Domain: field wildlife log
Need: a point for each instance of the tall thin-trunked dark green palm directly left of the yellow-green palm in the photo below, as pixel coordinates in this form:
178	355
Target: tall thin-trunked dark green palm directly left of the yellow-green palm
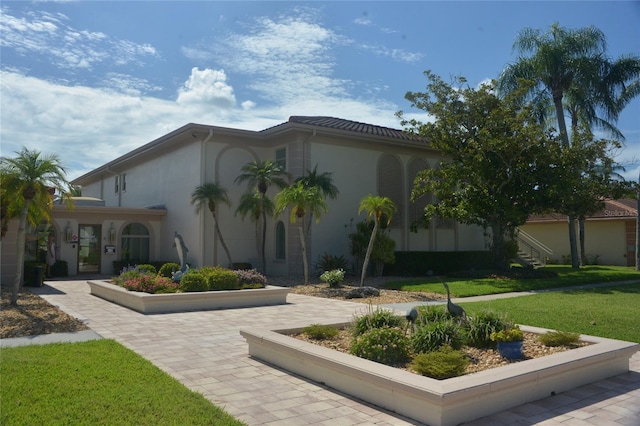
260	175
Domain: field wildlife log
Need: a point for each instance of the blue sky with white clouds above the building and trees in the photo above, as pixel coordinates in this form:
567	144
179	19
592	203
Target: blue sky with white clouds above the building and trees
91	81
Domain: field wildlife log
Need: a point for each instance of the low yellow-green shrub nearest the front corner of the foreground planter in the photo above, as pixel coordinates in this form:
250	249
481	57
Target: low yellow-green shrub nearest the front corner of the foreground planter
443	363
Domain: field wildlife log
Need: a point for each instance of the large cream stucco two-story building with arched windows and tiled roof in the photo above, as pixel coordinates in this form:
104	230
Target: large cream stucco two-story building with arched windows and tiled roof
147	196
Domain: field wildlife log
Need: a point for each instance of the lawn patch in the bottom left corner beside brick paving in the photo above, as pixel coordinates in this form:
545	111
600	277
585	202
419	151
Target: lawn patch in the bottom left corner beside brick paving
96	382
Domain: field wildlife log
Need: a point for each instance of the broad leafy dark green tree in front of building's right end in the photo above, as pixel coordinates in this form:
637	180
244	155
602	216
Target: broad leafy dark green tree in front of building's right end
498	162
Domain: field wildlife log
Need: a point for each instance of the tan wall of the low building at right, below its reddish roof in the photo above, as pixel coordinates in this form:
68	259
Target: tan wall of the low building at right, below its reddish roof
605	239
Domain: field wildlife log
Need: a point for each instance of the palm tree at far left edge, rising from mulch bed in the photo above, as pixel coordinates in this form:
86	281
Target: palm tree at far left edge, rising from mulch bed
26	180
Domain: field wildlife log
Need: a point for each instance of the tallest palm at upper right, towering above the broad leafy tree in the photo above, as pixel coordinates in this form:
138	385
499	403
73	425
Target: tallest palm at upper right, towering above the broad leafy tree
559	60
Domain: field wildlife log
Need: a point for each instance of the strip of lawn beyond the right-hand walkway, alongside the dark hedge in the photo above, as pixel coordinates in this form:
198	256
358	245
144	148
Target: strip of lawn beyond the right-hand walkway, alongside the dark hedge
566	277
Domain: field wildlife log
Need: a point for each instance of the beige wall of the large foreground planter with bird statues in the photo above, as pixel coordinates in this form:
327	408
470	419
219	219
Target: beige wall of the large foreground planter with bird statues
443	402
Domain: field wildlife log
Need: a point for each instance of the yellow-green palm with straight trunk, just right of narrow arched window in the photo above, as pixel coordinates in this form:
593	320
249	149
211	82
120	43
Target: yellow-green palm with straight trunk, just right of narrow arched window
302	200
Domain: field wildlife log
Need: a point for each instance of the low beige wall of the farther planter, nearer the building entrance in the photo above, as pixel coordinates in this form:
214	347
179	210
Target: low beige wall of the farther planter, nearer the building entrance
181	302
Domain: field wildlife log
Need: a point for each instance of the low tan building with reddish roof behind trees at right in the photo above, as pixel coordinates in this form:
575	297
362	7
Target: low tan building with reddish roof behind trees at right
610	234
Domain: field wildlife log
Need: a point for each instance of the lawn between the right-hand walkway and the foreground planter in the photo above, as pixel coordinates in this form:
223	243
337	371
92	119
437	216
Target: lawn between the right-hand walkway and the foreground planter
610	312
